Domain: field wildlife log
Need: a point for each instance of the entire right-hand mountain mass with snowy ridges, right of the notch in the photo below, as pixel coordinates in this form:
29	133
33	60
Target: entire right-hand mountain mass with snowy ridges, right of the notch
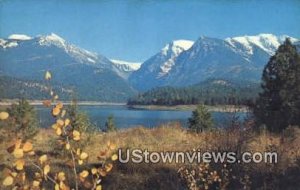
231	58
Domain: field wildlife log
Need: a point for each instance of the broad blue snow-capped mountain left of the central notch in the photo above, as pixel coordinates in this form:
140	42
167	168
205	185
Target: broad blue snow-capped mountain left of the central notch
91	75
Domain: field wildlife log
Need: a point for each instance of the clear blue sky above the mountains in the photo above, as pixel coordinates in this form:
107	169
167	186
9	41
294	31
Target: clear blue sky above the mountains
133	30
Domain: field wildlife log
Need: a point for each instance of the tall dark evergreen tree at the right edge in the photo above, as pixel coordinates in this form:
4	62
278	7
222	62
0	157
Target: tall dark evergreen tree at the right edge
278	106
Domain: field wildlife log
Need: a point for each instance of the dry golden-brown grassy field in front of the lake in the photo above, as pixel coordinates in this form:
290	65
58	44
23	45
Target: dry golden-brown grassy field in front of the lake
283	175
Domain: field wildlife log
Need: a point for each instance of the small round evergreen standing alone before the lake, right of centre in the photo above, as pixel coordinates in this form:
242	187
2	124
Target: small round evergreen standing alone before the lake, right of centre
201	119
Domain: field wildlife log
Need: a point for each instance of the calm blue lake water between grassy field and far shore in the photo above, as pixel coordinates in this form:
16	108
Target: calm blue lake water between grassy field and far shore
125	117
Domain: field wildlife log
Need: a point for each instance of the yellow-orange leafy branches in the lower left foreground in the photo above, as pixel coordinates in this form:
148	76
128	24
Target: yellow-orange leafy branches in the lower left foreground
67	137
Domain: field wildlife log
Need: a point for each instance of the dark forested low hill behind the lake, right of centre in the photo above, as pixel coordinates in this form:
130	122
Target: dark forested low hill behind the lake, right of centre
209	92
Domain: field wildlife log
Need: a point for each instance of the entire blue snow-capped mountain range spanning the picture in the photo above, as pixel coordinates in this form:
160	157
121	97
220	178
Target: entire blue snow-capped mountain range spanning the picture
92	76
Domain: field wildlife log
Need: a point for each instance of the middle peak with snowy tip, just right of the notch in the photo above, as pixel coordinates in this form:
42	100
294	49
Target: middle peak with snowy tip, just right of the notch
158	66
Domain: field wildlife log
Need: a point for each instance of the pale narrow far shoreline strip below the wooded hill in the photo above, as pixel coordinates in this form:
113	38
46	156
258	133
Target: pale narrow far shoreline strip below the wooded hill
217	108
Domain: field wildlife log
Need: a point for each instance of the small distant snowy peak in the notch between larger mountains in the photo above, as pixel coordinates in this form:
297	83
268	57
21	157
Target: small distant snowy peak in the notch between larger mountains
124	68
